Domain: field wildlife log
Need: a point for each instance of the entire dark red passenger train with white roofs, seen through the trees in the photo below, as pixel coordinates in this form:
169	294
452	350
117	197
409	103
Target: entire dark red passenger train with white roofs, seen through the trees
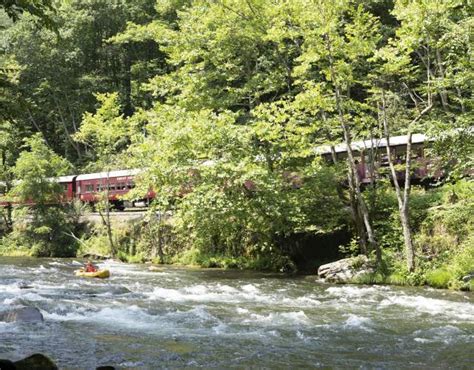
87	187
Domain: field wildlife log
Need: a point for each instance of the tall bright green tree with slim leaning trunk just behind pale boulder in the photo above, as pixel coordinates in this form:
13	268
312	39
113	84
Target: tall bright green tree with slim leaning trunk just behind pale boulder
336	41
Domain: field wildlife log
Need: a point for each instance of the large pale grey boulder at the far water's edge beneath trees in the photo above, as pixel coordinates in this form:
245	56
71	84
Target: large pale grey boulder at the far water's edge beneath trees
345	270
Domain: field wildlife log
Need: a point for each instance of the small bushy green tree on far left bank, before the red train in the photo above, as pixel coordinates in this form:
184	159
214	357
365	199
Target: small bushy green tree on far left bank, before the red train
46	222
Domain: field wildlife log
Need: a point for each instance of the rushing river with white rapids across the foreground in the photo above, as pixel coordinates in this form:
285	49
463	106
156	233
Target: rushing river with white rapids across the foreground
179	317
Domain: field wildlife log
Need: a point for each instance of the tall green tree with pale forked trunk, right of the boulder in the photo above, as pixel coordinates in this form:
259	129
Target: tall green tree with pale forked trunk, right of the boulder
413	88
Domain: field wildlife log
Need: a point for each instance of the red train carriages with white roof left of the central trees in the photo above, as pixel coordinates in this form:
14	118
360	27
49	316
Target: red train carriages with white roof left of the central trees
88	187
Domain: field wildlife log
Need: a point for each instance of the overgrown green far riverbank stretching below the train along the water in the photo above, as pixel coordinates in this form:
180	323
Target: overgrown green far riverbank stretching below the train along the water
443	226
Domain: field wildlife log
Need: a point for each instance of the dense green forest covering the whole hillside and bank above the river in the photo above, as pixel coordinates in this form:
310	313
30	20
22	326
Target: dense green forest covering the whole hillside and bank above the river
223	104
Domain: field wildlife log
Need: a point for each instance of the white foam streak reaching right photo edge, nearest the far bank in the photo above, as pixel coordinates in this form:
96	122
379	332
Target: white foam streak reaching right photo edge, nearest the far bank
456	310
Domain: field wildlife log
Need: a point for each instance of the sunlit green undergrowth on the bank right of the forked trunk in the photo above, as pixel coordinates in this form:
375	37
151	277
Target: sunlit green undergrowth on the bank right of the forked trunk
444	232
